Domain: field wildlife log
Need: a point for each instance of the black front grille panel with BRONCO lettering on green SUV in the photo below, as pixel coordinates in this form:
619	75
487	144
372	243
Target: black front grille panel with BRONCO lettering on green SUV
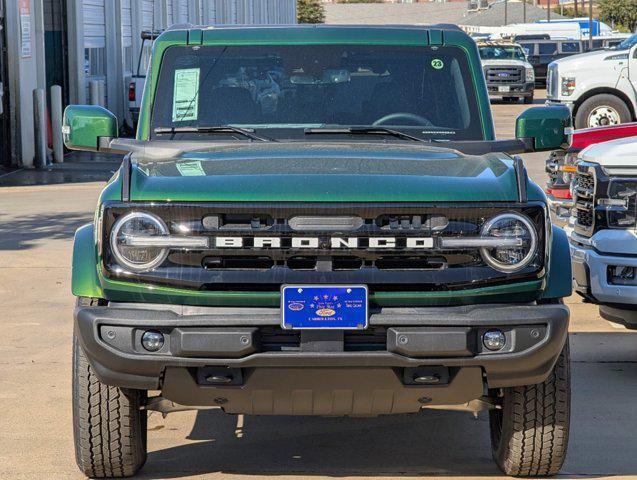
403	267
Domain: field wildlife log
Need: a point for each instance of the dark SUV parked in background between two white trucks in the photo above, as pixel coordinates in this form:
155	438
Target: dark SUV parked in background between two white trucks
542	51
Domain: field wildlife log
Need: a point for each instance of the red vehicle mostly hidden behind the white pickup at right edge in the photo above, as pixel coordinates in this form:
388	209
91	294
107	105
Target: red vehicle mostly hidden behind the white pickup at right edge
560	165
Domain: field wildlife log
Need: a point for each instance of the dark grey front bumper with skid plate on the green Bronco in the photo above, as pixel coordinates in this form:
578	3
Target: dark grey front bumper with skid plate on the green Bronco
235	345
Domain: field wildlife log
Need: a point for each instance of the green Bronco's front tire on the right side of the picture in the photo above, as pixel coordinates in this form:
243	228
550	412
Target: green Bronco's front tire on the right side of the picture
529	434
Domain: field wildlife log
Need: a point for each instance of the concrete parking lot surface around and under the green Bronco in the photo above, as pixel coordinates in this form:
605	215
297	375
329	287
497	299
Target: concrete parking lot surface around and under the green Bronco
36	232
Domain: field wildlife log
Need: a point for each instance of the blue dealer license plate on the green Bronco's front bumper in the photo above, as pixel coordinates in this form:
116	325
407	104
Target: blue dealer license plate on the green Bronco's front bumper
324	307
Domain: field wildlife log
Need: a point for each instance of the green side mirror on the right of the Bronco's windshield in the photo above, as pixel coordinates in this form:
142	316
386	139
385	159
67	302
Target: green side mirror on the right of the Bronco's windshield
544	128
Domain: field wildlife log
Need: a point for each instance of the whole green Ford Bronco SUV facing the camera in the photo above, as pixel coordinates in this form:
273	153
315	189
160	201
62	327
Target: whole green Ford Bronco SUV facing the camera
318	220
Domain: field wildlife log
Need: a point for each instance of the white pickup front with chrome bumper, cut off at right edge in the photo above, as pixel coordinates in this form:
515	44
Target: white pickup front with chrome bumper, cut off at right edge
602	229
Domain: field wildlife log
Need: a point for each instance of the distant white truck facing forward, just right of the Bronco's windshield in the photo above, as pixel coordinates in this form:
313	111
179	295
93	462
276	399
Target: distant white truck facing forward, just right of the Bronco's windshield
507	71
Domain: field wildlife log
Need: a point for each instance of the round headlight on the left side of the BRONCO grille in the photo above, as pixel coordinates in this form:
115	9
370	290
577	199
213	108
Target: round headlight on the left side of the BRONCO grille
129	241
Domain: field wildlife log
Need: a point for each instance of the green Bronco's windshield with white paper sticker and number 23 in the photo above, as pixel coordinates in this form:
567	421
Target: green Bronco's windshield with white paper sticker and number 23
283	89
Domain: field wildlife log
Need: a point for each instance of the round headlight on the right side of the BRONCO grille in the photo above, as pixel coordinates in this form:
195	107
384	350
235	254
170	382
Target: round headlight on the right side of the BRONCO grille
514	242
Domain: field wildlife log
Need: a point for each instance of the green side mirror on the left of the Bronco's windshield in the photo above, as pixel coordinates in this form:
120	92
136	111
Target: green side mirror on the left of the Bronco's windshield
88	127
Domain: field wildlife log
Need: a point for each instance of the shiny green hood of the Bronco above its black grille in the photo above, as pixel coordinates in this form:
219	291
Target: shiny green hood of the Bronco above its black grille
321	172
